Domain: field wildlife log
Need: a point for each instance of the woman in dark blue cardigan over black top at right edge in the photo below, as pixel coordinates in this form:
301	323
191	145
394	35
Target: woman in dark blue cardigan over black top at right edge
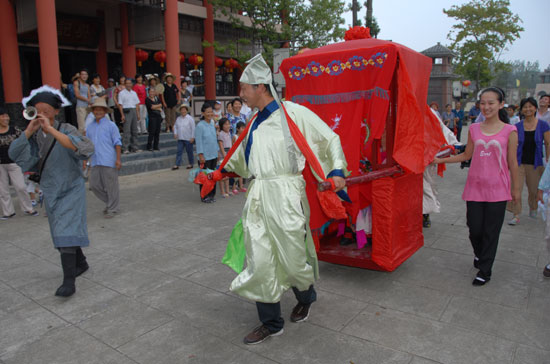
532	134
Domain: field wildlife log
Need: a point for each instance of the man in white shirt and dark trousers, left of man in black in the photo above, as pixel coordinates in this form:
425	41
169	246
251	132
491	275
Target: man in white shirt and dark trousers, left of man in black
128	104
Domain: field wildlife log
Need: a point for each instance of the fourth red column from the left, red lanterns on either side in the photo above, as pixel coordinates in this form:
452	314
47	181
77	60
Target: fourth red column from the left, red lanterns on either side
172	44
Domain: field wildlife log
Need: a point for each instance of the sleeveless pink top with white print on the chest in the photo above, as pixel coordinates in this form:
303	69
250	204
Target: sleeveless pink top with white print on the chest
488	178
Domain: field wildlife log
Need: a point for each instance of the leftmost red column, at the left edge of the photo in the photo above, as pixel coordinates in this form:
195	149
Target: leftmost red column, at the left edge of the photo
9	54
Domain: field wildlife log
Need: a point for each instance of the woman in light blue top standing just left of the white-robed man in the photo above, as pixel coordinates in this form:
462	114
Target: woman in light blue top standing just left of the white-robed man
206	140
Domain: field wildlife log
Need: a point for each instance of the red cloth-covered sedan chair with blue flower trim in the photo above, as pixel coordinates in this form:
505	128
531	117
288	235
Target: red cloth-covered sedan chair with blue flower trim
373	94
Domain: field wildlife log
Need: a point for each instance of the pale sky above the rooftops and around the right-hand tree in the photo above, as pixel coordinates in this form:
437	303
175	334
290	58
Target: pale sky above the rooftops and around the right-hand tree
420	24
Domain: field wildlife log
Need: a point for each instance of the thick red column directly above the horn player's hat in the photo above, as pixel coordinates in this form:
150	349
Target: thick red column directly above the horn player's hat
47	42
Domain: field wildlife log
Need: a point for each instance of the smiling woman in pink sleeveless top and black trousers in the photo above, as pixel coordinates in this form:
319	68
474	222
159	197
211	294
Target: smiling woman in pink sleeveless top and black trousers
492	146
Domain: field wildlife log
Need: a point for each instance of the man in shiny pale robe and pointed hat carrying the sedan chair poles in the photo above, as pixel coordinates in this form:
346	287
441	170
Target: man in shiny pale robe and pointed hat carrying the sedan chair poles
280	253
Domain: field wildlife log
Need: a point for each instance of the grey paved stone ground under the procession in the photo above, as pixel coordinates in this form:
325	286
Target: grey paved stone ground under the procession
157	293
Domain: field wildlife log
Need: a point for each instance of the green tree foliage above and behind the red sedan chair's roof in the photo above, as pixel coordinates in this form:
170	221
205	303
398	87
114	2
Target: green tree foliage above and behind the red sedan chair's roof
301	23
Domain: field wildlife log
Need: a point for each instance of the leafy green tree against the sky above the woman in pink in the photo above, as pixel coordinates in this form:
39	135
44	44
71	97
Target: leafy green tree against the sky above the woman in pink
483	30
